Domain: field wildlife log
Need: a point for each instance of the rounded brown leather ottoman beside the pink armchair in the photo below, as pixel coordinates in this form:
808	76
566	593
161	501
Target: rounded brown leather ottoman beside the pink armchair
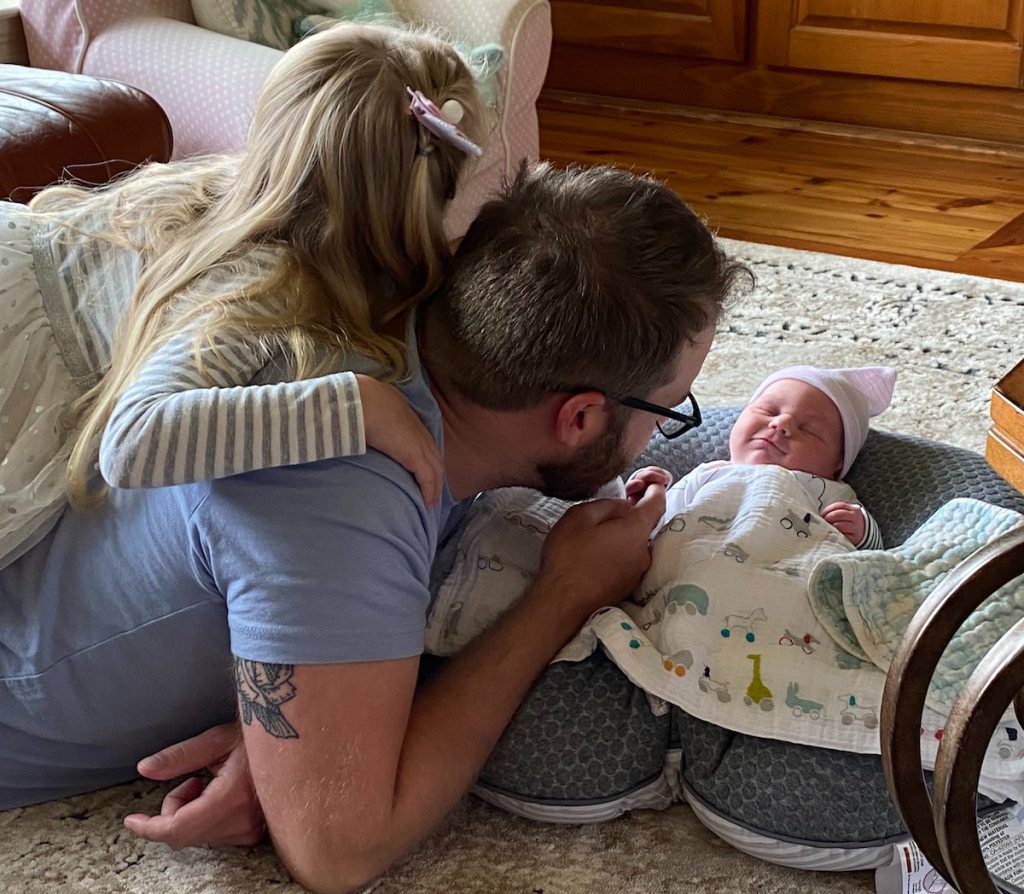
56	126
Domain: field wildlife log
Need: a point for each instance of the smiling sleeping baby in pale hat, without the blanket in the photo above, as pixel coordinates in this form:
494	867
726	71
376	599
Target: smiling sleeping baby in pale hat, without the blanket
809	420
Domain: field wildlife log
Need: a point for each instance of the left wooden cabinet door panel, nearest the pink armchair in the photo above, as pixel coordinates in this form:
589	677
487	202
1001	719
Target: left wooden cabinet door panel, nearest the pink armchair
705	29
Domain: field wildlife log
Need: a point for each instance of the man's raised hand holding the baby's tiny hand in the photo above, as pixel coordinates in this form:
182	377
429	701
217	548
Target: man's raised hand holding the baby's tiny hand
600	550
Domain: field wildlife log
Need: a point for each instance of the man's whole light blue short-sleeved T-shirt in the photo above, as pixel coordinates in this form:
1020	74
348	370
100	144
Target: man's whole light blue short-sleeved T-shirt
116	631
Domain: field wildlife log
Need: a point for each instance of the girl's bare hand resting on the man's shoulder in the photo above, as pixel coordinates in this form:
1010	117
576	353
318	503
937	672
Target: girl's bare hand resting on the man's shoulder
394	429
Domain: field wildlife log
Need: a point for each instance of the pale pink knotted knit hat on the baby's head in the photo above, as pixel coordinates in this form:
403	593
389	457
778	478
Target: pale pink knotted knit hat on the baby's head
860	394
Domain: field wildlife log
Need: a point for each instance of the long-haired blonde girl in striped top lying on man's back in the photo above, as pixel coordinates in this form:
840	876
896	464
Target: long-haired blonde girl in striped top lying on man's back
193	321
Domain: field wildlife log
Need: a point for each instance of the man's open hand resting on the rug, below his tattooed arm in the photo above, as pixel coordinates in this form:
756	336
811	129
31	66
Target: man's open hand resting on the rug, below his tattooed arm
222	813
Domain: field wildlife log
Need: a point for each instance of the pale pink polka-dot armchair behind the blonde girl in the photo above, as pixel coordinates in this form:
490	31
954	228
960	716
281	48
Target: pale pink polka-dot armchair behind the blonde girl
207	82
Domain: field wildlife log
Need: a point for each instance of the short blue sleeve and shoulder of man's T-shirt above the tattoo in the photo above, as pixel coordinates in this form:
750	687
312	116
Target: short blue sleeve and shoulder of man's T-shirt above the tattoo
350	540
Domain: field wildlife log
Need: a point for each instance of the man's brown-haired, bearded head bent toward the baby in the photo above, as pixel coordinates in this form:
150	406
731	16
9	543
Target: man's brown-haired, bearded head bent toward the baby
581	282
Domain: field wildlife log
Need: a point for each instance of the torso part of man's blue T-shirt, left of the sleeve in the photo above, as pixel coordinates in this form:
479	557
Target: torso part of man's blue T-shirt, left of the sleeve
83	620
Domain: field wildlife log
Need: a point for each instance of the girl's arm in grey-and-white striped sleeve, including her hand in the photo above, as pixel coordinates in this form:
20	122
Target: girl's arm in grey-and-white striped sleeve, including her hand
172	427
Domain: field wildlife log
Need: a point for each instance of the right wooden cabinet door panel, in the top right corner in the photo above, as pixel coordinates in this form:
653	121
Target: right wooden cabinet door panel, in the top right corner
960	41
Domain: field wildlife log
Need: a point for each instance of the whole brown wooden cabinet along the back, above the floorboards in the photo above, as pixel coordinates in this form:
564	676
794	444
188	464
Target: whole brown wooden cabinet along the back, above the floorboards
942	67
